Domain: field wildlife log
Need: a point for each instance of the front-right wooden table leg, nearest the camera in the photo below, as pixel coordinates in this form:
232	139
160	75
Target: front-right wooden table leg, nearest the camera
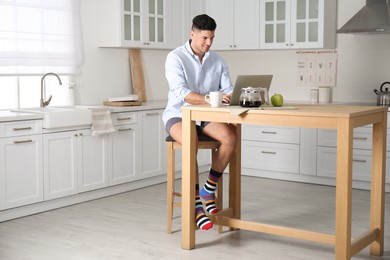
344	190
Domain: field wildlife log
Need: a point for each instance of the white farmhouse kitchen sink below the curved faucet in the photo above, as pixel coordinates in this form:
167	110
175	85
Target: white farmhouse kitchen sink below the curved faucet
67	116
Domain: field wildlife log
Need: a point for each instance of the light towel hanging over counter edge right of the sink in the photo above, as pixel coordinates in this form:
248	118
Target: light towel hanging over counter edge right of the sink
101	121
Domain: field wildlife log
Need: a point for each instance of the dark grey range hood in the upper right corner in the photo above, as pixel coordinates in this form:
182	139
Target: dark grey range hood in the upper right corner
374	17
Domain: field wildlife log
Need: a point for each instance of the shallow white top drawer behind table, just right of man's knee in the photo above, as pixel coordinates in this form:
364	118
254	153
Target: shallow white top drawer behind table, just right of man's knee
271	134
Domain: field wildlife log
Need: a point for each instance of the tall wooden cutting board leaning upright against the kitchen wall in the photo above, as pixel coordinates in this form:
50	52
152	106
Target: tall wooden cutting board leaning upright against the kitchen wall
137	73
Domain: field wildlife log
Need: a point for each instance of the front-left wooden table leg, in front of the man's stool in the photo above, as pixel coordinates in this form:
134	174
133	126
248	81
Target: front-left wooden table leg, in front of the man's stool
188	181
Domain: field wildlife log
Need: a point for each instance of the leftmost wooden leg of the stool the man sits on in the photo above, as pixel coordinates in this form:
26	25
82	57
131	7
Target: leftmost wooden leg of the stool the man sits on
170	184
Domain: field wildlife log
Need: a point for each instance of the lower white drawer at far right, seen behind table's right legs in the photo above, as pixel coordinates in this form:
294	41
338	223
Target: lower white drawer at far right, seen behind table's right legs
361	163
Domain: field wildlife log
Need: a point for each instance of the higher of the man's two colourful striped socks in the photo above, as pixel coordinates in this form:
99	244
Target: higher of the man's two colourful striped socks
207	193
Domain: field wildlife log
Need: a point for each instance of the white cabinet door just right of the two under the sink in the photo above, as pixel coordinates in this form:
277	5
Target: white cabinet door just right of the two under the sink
123	154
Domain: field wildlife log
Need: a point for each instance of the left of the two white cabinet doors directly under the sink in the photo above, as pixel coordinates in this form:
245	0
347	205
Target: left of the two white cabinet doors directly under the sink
60	164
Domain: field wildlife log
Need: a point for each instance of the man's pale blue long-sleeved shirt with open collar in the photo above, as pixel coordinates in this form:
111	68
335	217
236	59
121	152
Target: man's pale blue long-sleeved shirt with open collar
186	74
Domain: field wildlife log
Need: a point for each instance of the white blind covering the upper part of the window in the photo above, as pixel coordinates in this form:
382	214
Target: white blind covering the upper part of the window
37	36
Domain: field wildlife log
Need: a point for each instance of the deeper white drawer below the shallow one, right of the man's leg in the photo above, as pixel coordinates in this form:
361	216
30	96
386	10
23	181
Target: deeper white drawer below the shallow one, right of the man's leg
270	156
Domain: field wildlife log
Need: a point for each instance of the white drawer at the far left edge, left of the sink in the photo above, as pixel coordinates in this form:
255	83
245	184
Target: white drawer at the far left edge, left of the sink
20	128
